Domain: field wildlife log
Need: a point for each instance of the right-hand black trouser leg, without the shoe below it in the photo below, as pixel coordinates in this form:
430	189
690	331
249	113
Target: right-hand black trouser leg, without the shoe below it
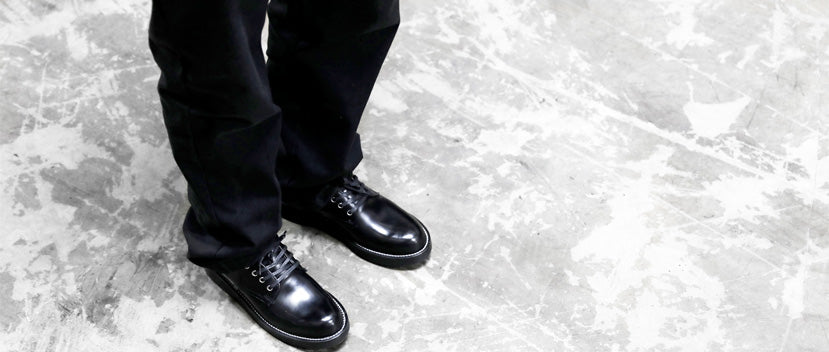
323	59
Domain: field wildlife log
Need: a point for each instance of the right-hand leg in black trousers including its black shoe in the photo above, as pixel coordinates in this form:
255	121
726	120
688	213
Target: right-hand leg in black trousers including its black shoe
323	59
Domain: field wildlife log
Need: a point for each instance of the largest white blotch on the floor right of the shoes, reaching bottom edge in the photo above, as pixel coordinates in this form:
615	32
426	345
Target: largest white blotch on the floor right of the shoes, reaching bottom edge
645	277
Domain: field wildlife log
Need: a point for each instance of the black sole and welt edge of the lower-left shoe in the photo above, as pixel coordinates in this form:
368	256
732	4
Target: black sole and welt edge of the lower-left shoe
286	337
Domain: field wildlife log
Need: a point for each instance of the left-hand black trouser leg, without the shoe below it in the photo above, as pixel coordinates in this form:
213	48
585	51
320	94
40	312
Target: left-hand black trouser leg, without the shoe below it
224	128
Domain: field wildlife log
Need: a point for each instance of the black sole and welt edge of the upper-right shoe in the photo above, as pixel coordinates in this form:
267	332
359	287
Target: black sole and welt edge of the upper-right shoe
395	261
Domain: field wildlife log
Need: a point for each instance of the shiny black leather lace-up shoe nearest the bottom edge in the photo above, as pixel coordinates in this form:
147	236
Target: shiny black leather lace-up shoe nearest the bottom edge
285	301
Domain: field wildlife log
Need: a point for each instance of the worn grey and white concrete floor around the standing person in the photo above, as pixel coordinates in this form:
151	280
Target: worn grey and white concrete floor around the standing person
597	176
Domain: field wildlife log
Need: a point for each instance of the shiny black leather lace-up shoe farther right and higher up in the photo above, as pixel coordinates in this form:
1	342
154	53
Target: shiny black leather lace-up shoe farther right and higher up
372	226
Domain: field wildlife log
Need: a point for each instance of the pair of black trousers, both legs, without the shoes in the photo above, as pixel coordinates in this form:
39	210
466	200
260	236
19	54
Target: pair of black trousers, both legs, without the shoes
248	134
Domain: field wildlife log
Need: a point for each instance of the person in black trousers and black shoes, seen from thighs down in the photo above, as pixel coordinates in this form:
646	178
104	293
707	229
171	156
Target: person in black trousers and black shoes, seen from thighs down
260	140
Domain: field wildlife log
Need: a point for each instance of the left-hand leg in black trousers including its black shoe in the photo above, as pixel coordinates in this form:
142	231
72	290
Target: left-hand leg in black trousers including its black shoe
224	130
